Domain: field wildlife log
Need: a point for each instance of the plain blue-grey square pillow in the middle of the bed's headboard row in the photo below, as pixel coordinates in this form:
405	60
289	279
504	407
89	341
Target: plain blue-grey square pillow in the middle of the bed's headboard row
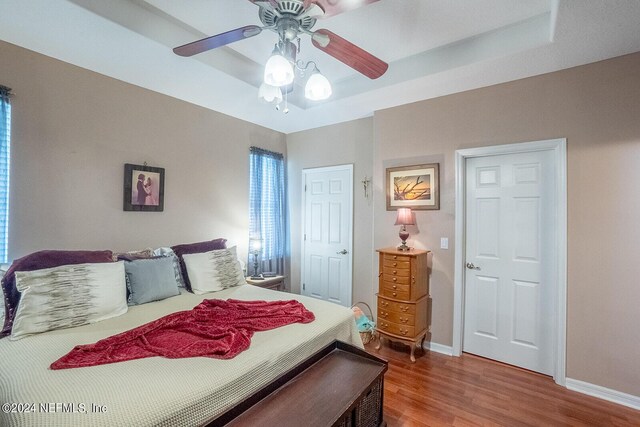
150	279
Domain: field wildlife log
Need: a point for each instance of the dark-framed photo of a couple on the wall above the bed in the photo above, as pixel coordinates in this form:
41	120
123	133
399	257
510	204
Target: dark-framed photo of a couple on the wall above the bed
143	188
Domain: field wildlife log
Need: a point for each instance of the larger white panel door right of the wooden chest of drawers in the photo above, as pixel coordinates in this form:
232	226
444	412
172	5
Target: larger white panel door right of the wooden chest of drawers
509	281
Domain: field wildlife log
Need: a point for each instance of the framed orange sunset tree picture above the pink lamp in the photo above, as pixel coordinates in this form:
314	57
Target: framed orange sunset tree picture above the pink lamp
416	187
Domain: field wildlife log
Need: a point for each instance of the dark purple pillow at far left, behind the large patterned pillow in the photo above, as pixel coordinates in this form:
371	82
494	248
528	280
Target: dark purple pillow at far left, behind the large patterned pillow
38	261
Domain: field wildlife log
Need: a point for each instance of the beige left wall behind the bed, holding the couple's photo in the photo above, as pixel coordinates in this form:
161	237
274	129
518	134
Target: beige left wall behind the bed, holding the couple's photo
72	132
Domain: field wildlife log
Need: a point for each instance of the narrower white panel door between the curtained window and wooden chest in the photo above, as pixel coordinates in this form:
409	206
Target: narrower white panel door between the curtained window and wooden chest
327	239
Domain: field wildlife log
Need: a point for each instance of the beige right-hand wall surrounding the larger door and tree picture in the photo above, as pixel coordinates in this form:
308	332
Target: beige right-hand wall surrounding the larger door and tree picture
597	108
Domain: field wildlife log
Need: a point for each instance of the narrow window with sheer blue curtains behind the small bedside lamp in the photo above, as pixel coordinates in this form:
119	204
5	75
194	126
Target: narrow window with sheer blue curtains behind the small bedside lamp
267	207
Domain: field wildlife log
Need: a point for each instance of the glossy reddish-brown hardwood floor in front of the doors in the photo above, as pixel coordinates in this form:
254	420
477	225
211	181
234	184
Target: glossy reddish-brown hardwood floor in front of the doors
468	391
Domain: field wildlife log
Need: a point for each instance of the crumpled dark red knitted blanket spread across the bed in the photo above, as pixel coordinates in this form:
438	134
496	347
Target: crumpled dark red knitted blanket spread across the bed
220	329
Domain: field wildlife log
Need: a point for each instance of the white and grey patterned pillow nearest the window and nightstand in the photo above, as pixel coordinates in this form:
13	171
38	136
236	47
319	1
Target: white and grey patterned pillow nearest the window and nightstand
214	270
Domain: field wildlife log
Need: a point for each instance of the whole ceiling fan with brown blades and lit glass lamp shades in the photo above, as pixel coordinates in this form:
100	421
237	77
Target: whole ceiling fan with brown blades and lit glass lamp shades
291	19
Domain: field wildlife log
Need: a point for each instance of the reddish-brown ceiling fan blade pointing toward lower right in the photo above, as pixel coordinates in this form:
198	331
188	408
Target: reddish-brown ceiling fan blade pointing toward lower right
349	54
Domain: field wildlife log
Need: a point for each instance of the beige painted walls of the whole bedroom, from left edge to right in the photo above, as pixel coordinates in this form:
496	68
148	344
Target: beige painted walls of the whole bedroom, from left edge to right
73	130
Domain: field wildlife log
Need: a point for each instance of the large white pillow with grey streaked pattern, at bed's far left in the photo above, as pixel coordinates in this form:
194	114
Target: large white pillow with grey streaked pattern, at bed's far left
68	296
